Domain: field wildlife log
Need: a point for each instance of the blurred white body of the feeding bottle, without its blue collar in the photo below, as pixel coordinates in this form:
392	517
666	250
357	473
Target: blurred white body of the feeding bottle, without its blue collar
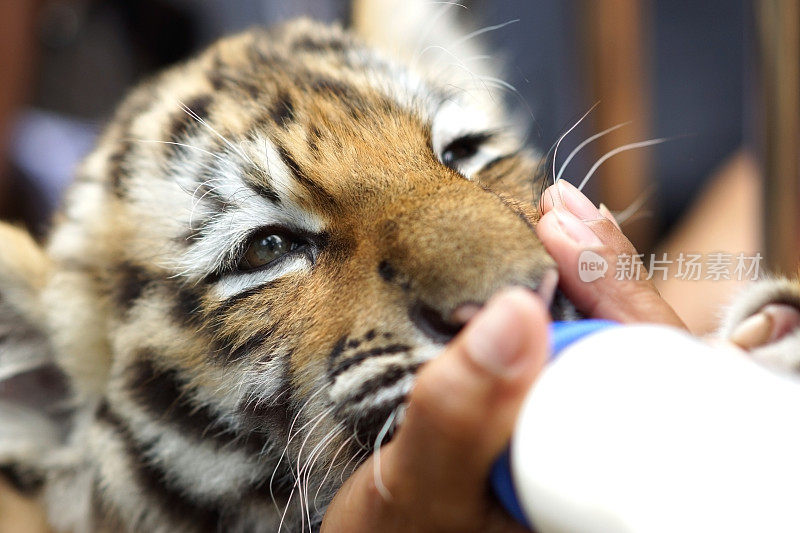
646	429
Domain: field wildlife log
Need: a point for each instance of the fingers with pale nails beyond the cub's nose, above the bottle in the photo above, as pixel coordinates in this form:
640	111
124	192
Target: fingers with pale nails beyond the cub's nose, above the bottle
590	249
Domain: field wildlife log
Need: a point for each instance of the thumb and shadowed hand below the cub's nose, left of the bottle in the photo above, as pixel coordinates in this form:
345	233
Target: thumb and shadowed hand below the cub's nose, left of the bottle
460	416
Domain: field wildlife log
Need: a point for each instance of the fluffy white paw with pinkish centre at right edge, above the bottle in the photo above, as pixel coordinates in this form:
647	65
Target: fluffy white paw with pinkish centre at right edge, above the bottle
765	320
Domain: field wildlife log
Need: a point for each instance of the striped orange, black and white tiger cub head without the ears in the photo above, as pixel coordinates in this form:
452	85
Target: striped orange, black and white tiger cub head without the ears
267	244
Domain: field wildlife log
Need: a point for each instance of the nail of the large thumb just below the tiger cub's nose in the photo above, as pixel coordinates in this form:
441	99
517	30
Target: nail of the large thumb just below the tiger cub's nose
493	339
